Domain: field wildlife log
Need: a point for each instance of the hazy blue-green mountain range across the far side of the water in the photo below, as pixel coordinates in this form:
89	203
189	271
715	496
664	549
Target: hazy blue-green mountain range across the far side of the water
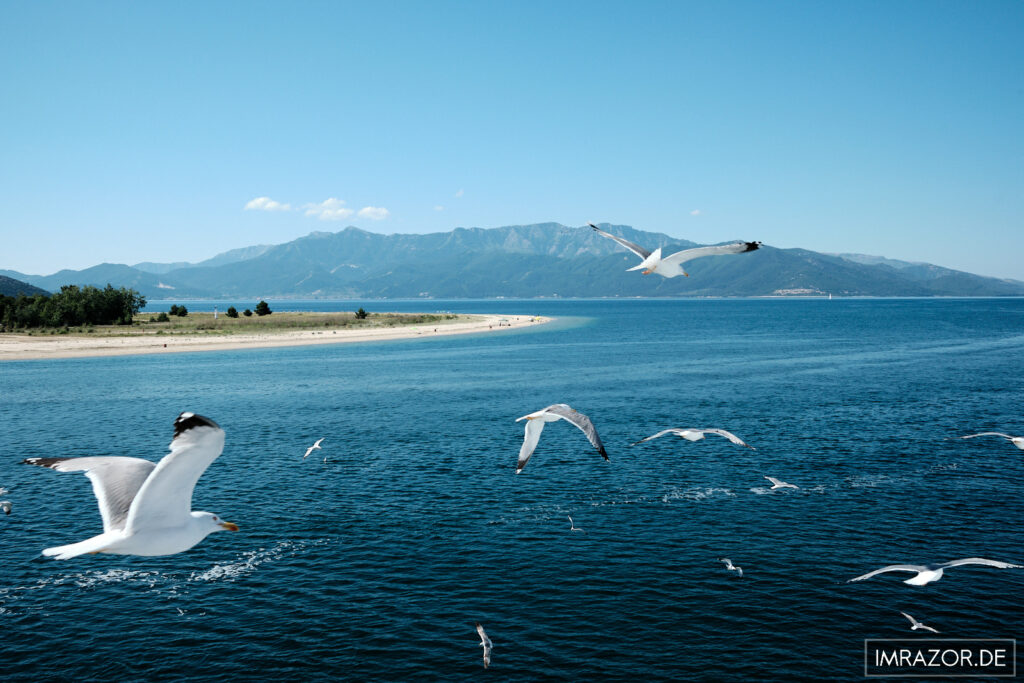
539	261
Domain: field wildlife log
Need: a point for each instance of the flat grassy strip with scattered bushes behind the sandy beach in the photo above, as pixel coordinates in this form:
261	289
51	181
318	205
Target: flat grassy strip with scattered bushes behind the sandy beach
200	324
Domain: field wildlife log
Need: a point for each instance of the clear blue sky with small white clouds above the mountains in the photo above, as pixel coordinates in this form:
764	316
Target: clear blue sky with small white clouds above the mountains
143	132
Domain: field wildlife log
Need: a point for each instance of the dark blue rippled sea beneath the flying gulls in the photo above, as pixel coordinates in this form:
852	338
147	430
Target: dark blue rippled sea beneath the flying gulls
376	564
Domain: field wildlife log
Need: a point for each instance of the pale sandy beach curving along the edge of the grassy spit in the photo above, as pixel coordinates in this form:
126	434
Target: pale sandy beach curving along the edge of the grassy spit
35	348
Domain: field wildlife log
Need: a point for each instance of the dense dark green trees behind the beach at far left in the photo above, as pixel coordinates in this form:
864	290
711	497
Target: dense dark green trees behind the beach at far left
71	307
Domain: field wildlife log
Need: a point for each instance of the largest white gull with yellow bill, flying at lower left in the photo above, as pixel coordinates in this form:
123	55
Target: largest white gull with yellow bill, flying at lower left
146	506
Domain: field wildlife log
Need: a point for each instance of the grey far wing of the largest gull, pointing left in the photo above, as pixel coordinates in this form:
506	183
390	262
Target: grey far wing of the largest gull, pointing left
116	481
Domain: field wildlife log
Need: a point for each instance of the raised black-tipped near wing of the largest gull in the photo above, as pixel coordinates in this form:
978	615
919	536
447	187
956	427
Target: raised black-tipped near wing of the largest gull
167	492
